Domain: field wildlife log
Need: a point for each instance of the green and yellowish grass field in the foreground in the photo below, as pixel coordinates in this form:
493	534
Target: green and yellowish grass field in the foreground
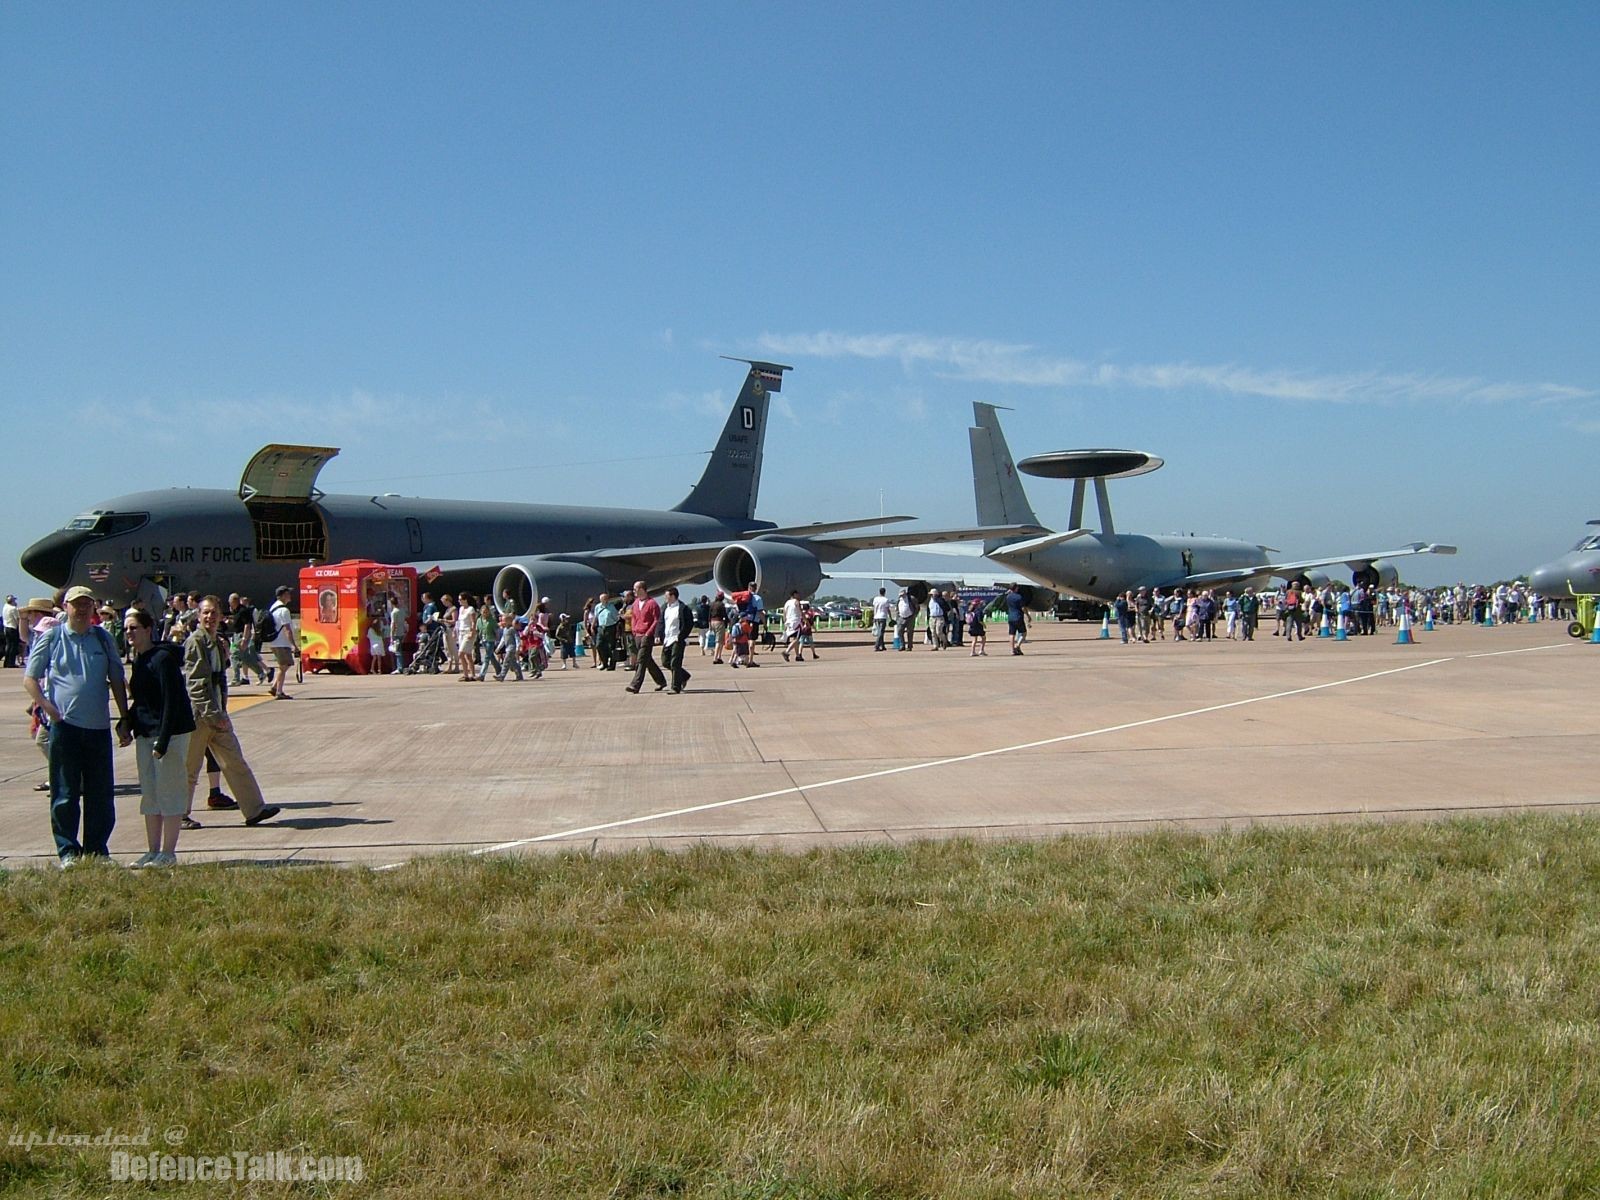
1361	1010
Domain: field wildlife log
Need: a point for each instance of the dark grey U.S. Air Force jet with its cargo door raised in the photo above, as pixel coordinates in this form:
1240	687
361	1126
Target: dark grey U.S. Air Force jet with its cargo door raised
258	538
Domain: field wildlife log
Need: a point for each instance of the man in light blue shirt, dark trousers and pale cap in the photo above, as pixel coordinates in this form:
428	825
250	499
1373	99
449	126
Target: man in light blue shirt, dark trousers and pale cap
73	674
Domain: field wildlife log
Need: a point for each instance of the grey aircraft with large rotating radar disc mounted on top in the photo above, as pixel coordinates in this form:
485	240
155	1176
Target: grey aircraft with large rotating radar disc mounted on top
1103	566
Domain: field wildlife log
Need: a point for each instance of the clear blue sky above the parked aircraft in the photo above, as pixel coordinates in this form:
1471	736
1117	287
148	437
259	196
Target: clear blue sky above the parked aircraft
1337	265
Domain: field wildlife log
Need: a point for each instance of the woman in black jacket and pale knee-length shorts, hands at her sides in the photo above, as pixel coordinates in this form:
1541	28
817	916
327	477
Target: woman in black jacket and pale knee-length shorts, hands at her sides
159	722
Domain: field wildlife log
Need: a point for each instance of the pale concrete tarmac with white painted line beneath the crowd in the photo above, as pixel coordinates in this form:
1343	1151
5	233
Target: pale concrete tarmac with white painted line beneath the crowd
1078	735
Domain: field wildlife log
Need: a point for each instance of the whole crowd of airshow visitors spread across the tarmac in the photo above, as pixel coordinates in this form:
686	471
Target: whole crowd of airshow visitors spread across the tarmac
169	674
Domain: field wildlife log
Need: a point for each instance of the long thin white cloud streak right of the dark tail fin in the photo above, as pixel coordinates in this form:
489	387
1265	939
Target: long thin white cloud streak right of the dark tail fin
996	362
